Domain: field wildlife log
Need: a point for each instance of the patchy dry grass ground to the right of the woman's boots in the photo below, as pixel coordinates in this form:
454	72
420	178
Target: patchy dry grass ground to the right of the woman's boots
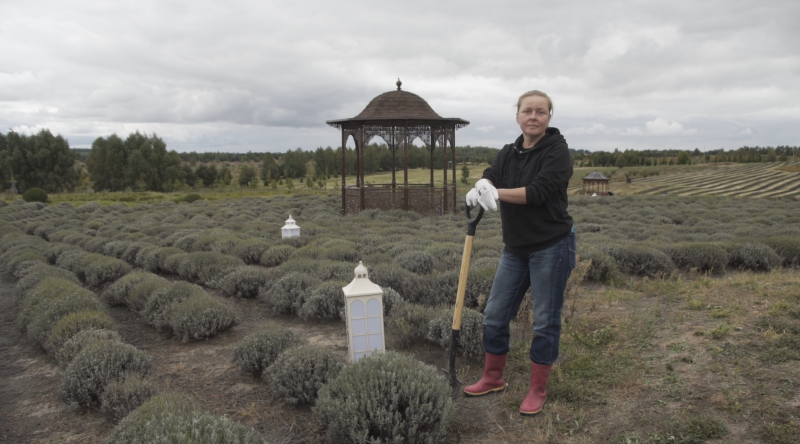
654	361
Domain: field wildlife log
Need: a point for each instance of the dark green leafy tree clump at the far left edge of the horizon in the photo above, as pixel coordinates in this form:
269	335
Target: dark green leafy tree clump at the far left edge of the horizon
41	160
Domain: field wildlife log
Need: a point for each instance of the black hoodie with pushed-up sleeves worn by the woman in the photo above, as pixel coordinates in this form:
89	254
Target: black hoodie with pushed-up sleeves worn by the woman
544	171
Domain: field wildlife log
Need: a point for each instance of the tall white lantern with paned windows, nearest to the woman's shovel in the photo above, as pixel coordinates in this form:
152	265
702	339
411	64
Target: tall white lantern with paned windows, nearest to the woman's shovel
363	301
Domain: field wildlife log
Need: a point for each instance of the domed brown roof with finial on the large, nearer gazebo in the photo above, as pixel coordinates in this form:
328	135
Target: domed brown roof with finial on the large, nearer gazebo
401	106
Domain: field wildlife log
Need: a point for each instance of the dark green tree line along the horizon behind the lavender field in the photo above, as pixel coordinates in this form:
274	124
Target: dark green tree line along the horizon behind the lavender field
142	162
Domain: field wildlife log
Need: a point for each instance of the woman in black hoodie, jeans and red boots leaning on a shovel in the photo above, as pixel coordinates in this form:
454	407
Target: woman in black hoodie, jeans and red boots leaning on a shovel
530	178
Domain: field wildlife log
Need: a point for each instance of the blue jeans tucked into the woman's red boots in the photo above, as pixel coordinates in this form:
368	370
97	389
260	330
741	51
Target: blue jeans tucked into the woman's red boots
545	273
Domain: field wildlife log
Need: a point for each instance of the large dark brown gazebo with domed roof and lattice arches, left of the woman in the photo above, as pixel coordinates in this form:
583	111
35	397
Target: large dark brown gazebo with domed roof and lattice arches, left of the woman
399	117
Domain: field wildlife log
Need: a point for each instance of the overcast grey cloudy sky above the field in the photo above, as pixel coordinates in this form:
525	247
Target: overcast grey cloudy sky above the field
265	76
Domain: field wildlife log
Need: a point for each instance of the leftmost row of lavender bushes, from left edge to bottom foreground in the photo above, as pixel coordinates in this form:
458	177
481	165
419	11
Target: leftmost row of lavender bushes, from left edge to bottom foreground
100	370
